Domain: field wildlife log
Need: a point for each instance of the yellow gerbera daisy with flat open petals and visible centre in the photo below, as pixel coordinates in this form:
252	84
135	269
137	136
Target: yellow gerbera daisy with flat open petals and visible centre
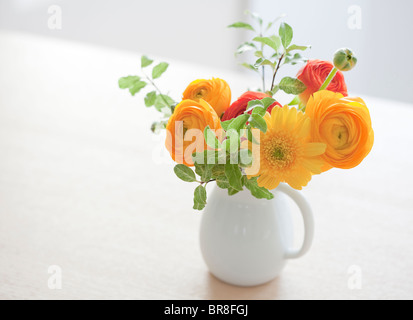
286	153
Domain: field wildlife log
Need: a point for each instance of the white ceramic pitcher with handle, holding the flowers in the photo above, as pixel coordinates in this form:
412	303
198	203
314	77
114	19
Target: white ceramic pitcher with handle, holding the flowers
246	241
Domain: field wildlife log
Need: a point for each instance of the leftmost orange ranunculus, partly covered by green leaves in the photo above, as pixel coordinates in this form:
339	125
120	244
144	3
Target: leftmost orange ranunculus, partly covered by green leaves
185	129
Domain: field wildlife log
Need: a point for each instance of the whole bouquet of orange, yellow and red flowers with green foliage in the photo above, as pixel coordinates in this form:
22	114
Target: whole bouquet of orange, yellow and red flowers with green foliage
256	142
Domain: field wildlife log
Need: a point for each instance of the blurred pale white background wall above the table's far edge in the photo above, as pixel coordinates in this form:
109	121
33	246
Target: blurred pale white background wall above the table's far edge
195	31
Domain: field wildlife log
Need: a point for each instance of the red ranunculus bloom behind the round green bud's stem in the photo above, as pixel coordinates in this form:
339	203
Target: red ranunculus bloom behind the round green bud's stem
313	75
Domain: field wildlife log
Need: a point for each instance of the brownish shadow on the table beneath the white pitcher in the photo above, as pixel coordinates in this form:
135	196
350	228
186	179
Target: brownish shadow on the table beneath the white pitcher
218	290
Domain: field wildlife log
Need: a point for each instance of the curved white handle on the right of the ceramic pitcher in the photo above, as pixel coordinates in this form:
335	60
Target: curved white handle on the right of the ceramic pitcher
307	214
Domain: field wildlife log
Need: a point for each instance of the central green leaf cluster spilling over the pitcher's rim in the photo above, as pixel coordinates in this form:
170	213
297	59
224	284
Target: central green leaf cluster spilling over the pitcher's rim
224	161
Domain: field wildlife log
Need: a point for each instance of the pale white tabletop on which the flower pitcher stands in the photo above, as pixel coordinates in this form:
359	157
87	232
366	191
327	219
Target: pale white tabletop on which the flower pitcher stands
81	187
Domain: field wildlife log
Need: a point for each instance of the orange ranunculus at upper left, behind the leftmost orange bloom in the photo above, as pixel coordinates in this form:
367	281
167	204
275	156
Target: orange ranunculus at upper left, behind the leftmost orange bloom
216	92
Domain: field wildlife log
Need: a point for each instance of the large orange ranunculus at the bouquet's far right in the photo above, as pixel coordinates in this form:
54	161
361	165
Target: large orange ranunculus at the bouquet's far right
344	124
